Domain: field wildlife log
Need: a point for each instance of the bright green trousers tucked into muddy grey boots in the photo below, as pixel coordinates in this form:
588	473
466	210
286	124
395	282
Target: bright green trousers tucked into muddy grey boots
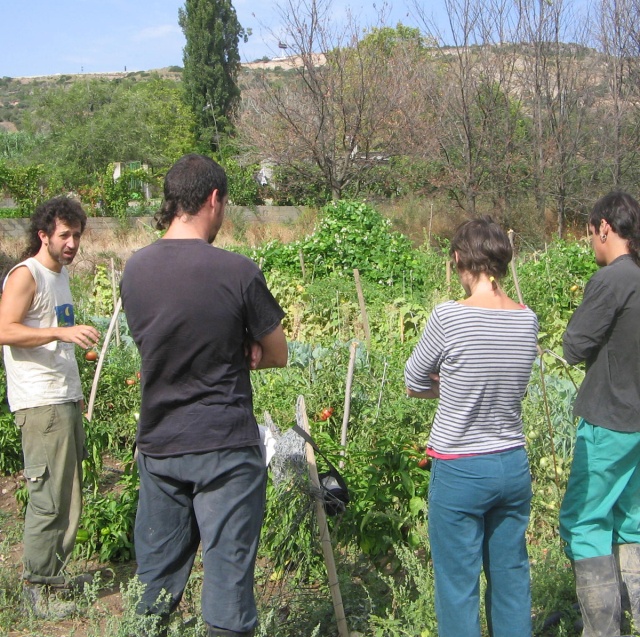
601	506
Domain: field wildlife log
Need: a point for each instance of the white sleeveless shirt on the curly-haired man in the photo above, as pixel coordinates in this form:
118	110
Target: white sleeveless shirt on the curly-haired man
48	374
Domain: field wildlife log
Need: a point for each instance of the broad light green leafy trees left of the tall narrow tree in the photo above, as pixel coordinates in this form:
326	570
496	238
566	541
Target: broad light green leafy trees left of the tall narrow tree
81	128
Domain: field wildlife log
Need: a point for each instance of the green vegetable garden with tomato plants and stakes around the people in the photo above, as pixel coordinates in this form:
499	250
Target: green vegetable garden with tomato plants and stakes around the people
380	540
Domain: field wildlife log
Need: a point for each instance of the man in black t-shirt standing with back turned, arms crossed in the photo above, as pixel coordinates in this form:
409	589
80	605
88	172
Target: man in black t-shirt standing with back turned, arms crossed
202	318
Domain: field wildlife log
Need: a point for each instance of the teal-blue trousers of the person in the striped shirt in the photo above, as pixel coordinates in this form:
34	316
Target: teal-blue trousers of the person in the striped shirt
478	513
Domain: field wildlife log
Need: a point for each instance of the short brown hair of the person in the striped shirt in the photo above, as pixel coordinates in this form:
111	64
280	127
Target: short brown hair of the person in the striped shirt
482	246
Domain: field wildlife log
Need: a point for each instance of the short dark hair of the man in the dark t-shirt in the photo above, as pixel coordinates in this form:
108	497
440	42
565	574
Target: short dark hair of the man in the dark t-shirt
187	185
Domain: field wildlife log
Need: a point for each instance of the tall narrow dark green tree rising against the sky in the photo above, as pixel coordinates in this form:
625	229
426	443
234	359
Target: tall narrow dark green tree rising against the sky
211	65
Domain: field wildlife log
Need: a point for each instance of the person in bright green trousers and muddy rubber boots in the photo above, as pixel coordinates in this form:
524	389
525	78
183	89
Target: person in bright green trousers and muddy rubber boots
600	514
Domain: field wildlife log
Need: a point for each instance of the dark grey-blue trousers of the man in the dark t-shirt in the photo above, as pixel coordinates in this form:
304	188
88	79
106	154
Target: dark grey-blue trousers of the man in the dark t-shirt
216	498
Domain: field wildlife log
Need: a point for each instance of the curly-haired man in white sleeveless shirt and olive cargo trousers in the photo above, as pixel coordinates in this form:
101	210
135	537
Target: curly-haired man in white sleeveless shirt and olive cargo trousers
38	334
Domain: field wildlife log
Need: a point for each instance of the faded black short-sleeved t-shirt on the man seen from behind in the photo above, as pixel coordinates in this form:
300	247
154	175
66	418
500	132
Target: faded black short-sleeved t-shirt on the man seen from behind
190	307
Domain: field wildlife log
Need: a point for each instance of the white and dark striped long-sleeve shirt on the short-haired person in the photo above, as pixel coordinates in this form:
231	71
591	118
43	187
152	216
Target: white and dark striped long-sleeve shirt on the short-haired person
484	358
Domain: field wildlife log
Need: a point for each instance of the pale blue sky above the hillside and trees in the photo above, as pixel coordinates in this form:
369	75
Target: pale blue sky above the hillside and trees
45	37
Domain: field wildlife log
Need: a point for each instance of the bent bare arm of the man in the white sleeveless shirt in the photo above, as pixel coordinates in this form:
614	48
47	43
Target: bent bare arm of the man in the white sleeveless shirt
16	301
